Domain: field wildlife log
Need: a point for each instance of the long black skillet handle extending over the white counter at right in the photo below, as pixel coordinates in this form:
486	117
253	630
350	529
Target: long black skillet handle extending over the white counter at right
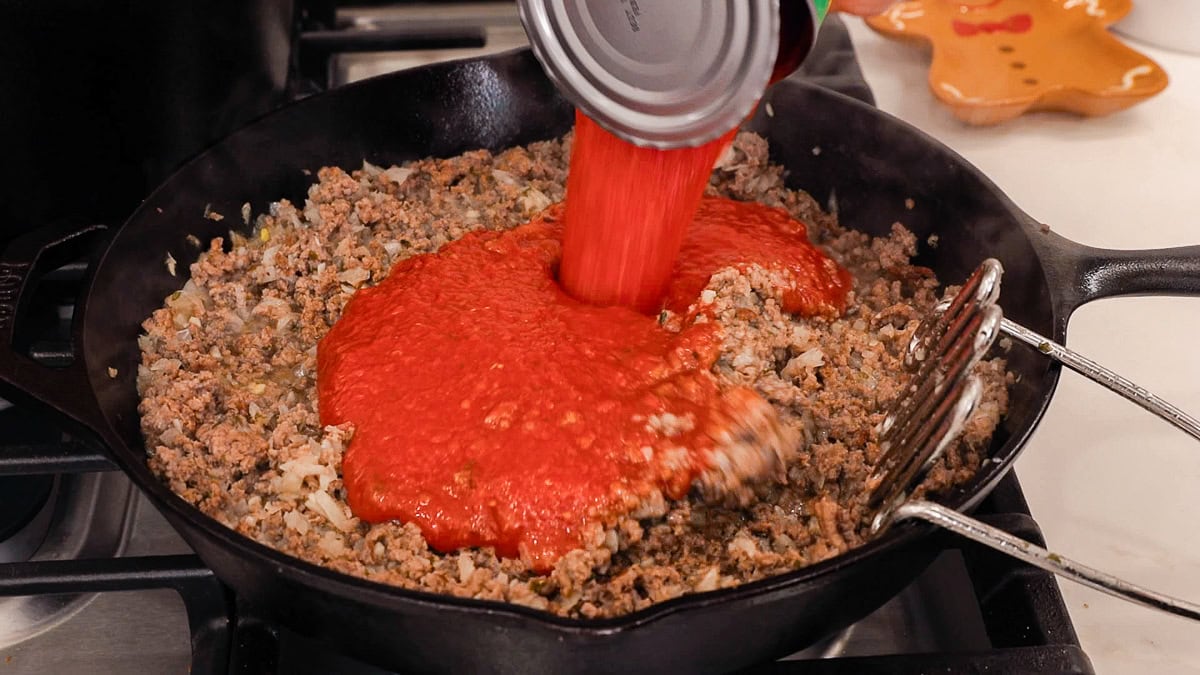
1087	273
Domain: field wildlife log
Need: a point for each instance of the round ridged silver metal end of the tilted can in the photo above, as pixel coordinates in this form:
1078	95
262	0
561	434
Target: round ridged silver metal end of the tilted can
662	74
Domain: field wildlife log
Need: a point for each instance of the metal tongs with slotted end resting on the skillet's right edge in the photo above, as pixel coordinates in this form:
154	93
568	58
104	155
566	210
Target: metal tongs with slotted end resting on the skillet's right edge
941	397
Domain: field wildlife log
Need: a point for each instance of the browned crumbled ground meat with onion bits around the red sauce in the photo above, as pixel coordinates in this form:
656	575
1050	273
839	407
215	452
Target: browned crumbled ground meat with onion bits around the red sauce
230	399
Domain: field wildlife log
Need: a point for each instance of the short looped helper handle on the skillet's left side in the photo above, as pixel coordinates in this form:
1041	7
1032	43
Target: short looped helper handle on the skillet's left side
65	391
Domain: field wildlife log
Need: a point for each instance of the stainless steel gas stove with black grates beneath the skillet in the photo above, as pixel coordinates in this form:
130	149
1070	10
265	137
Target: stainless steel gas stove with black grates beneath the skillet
93	580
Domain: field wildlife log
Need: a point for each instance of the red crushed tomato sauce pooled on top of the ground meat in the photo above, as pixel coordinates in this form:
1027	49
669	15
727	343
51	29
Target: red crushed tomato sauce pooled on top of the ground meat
491	409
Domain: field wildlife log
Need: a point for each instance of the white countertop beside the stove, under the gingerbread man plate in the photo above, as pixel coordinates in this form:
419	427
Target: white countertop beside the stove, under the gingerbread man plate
1111	485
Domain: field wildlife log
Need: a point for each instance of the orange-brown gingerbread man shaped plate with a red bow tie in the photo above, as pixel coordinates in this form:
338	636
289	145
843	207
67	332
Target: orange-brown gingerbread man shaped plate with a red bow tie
998	59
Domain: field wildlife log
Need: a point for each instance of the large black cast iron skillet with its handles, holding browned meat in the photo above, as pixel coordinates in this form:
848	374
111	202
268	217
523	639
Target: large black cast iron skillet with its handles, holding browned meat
871	162
